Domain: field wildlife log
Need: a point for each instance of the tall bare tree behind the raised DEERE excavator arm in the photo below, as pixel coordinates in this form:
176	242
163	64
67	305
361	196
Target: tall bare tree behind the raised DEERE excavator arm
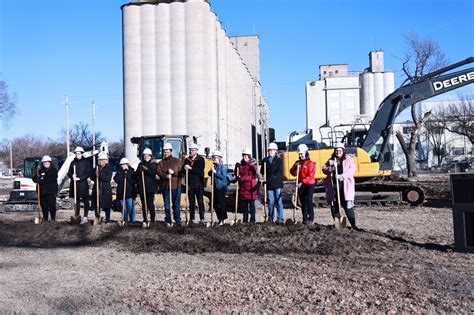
422	57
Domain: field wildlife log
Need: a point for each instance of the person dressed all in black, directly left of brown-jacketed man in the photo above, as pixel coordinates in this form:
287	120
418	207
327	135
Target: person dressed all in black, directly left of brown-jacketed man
147	170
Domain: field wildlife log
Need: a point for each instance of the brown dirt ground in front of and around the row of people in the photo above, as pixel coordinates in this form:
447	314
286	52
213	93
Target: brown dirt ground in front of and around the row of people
403	260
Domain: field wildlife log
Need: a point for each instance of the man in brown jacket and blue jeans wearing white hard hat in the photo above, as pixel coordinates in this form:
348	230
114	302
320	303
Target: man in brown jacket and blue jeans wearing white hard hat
169	171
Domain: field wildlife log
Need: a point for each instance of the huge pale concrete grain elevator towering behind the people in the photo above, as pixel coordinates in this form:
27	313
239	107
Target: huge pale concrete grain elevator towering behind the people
183	75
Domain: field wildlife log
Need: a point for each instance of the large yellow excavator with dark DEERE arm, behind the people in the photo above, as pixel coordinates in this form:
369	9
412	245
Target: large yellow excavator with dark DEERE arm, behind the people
370	148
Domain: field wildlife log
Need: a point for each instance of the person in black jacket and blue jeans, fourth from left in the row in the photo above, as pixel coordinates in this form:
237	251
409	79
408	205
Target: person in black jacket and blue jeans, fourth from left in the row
122	176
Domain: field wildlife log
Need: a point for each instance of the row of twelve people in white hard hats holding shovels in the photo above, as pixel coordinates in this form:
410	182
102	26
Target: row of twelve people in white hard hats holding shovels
339	181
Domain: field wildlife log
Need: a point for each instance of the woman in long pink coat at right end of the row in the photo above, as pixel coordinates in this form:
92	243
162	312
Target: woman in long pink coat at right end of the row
339	170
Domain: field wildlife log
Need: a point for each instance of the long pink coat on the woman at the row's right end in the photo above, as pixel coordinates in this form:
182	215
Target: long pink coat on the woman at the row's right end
348	167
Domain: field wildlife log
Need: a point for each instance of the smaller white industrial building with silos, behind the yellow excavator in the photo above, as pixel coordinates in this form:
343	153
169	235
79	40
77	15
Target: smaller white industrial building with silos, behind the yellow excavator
346	97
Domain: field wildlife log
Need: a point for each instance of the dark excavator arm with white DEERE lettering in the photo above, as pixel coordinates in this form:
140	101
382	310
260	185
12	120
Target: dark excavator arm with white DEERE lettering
430	85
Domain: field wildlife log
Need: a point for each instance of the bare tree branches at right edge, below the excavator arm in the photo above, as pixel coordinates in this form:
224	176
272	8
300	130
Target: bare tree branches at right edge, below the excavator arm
458	117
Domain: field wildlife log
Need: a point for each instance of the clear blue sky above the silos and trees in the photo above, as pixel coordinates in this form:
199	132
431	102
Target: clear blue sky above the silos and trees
51	48
